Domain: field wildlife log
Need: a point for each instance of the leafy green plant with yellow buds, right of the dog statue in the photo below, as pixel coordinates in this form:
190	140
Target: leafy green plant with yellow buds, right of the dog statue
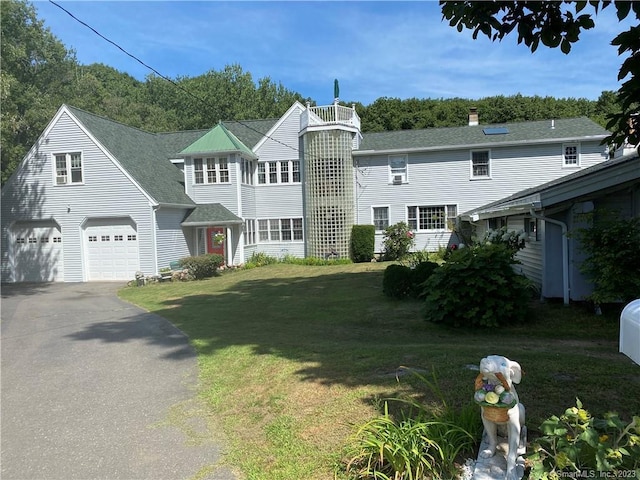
582	445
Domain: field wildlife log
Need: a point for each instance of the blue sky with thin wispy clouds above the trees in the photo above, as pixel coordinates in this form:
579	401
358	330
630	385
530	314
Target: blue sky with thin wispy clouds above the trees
375	49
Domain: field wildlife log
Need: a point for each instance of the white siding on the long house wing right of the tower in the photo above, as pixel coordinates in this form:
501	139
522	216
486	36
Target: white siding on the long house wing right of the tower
444	178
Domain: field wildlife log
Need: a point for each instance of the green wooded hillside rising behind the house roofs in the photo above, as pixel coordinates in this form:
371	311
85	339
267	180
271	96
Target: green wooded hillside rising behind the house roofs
39	74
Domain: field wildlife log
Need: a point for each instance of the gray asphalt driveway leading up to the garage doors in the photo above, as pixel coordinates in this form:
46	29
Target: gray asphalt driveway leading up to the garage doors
95	388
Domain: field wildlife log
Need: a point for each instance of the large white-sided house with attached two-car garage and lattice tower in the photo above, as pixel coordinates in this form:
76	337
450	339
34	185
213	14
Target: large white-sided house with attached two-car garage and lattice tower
98	200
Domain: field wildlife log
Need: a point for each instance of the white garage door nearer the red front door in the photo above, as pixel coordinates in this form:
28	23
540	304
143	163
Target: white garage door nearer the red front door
112	249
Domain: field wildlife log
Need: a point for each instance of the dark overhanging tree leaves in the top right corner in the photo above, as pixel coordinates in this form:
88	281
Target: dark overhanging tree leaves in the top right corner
559	24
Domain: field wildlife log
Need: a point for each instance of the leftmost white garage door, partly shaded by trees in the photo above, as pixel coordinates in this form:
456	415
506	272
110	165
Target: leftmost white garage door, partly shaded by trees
37	252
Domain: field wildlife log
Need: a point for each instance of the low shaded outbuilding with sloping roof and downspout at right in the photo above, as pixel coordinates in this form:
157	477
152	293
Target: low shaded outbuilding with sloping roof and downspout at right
551	212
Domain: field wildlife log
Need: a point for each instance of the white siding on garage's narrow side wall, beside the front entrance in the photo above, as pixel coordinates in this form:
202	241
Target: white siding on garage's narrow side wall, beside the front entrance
170	236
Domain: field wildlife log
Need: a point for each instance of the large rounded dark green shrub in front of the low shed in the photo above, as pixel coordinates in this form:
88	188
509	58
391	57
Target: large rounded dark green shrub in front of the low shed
477	286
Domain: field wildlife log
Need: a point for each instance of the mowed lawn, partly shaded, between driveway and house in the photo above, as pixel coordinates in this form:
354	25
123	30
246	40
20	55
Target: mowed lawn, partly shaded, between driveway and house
293	358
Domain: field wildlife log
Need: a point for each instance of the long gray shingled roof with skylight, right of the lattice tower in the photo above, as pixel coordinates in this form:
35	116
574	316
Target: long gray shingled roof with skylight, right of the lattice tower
474	135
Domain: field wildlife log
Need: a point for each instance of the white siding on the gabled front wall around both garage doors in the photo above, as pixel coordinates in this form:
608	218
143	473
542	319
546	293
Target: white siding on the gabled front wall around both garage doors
106	192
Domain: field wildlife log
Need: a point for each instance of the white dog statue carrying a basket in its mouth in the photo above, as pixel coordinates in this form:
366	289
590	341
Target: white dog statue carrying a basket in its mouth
502	374
